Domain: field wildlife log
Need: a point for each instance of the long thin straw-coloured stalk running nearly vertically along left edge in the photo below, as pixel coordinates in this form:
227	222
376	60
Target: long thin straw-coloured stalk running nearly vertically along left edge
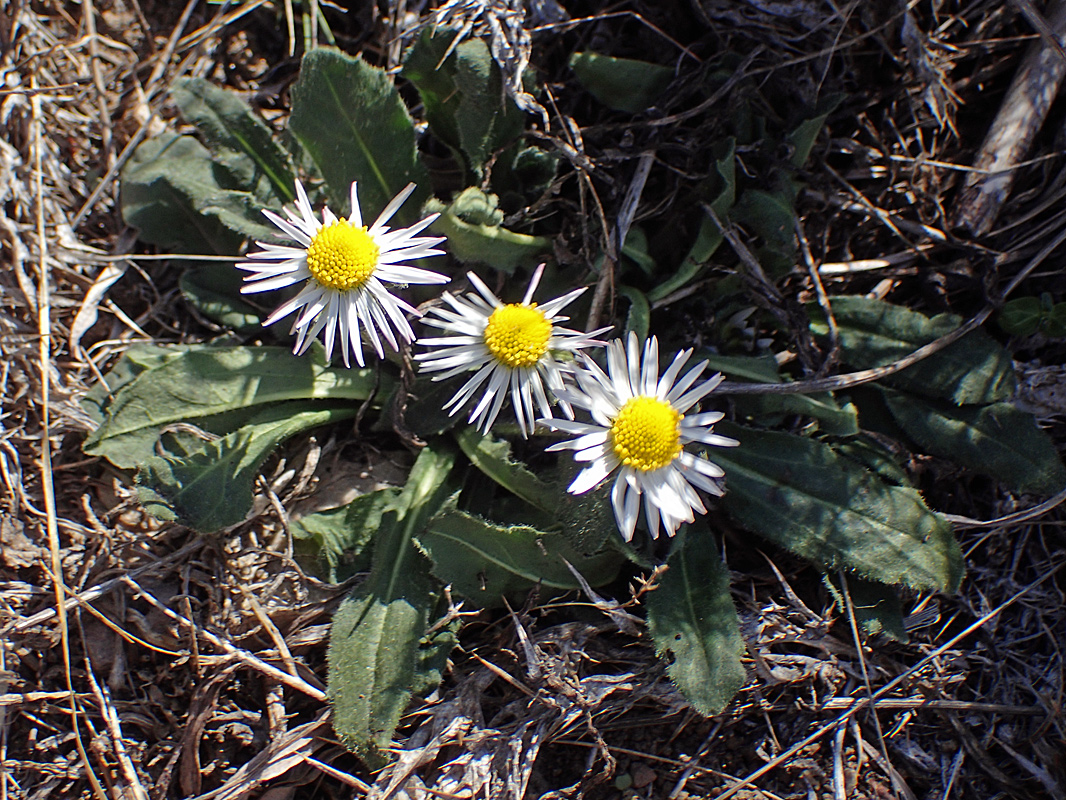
47	486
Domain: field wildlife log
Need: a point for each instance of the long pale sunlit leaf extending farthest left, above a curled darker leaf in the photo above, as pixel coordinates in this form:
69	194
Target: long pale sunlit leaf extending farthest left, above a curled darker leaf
203	382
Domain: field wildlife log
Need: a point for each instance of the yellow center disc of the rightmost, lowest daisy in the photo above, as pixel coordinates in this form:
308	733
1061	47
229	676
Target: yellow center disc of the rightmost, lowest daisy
647	435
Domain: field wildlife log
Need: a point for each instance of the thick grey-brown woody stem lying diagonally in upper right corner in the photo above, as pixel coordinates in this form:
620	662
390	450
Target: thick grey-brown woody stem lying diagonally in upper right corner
1022	116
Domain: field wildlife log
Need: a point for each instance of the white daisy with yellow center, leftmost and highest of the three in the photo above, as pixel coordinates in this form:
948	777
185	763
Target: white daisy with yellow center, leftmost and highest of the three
345	267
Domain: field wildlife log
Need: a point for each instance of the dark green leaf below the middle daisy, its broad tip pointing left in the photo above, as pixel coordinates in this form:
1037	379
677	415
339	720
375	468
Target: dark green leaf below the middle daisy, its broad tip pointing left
486	562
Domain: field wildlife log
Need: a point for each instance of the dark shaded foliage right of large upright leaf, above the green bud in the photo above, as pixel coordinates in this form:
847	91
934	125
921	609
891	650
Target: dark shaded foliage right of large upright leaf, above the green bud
465	104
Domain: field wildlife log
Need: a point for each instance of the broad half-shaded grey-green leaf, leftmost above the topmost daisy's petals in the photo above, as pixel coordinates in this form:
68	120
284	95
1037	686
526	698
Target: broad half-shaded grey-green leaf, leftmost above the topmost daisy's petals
172	194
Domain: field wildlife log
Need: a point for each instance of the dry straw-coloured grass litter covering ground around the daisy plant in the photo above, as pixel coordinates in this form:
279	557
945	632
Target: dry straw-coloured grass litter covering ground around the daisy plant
141	661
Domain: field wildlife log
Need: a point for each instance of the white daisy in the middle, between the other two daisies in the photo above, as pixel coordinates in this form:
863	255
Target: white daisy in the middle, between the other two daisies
514	348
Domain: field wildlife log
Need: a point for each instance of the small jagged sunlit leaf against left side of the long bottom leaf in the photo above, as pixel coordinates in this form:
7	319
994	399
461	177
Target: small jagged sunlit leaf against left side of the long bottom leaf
338	538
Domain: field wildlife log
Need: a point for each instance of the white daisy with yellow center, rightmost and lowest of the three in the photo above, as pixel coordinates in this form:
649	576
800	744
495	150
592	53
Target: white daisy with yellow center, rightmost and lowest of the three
640	429
